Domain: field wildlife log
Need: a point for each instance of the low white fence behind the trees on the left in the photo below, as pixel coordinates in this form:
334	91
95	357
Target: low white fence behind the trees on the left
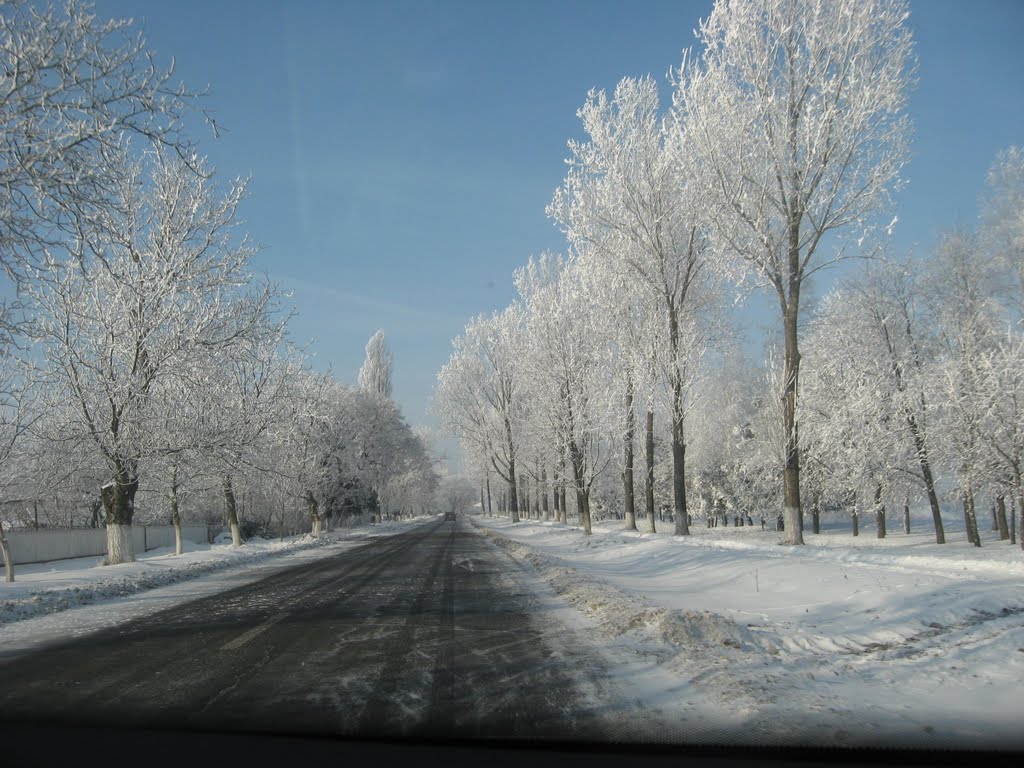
44	546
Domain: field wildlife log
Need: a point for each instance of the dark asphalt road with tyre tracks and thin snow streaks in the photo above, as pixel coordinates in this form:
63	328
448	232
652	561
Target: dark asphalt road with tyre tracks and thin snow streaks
434	633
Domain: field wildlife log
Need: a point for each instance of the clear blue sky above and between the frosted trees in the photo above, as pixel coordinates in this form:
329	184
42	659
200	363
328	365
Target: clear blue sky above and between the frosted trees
402	154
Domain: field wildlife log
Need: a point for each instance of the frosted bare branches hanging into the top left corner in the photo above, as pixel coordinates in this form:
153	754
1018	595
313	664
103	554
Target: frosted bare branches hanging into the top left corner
71	87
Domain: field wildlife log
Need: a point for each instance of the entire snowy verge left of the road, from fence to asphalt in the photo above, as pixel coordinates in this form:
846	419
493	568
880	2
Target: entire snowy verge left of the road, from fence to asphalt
65	600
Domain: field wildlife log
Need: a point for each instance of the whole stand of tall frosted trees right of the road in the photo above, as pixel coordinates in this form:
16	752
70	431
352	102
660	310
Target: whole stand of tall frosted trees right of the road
779	156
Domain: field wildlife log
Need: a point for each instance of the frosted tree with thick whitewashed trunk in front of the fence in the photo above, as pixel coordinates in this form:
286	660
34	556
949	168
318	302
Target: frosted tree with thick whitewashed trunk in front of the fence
155	273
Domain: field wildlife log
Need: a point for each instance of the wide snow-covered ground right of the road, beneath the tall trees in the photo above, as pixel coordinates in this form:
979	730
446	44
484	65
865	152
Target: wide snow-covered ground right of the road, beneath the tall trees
843	643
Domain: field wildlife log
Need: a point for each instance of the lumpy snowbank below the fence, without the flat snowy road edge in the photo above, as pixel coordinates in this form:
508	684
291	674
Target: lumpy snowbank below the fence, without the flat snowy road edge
49	588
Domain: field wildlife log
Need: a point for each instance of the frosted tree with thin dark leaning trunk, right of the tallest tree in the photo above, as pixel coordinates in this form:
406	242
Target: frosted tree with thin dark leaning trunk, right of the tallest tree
872	359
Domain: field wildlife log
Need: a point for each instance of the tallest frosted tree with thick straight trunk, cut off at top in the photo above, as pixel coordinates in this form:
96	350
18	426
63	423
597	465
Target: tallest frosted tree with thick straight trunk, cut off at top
795	117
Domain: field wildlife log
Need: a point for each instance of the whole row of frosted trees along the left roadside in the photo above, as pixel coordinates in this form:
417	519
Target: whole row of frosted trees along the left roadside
141	356
